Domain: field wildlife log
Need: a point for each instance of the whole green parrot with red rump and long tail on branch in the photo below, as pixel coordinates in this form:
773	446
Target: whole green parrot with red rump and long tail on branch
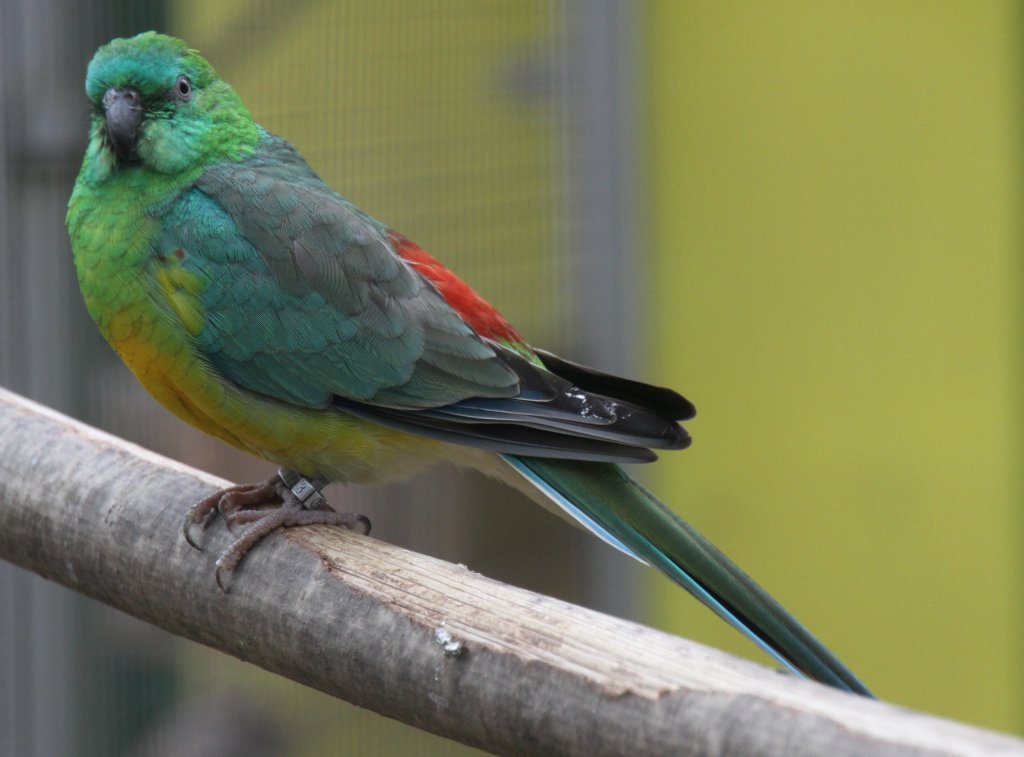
262	307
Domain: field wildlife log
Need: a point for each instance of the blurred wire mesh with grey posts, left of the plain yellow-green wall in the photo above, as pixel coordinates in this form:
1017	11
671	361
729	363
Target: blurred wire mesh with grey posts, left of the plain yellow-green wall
471	128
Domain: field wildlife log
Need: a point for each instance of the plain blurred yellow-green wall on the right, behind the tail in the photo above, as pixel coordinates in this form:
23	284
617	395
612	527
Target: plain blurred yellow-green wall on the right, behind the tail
836	282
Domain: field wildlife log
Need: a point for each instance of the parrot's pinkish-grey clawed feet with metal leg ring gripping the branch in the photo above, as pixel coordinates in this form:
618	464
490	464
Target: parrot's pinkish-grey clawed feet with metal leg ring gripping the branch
286	499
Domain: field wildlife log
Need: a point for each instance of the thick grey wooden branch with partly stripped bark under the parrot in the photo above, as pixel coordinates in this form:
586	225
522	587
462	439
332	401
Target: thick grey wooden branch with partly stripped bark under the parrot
409	637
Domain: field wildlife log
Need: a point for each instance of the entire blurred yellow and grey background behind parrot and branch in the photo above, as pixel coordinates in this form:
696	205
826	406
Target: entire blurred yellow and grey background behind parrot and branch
802	216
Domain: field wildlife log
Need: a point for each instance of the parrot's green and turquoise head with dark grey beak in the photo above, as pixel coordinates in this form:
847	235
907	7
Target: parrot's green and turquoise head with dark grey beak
160	106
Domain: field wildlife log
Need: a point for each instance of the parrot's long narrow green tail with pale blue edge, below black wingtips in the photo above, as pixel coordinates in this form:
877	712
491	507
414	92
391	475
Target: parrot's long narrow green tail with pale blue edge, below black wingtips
605	500
